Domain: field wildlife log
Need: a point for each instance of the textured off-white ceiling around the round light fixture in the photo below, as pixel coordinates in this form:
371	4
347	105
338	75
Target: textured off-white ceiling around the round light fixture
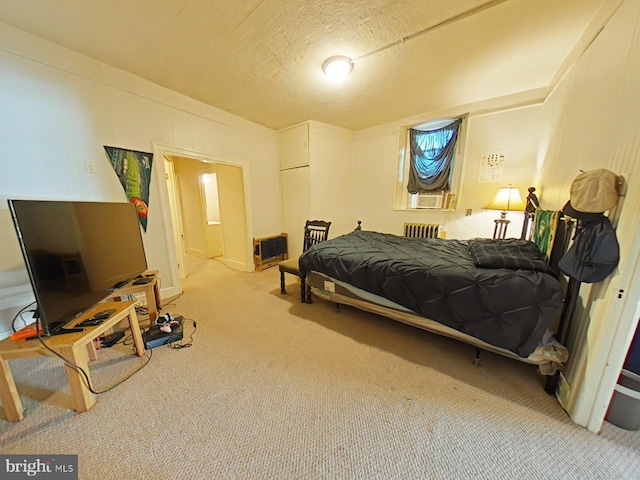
261	59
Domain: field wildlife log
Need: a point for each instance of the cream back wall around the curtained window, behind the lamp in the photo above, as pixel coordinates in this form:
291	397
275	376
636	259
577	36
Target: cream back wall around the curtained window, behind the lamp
516	131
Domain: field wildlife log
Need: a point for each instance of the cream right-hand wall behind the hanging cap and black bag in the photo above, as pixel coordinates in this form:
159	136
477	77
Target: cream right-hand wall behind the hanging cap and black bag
593	123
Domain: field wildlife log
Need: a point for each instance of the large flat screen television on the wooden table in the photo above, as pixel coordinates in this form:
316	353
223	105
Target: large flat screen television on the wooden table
76	254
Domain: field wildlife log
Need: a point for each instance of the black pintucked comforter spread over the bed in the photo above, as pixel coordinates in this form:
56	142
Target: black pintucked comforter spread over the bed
509	301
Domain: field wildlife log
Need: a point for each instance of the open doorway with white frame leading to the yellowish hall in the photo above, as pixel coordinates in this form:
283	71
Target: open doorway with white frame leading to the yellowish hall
202	229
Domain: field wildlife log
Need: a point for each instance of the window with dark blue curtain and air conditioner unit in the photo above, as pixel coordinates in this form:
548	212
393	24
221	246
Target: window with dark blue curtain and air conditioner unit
429	165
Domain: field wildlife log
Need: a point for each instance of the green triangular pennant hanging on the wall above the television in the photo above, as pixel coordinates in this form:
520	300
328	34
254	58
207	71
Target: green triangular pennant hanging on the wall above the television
133	169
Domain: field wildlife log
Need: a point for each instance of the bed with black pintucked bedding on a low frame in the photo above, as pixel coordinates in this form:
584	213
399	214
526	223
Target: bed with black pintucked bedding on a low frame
497	295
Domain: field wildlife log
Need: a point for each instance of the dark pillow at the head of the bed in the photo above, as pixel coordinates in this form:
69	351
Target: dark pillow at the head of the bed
515	254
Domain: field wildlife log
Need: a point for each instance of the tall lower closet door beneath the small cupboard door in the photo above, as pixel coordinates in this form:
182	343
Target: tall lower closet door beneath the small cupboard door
295	206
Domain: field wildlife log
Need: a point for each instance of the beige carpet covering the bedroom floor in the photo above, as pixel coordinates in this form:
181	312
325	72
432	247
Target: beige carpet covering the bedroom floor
273	388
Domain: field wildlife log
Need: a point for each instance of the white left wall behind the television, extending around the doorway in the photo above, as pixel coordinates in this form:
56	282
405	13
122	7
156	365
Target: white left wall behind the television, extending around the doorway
58	109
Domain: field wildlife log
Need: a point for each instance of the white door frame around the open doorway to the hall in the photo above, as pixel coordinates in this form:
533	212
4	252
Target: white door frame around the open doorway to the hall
170	222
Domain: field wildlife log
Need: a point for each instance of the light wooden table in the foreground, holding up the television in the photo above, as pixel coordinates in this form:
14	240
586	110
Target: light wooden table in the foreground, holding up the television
75	347
